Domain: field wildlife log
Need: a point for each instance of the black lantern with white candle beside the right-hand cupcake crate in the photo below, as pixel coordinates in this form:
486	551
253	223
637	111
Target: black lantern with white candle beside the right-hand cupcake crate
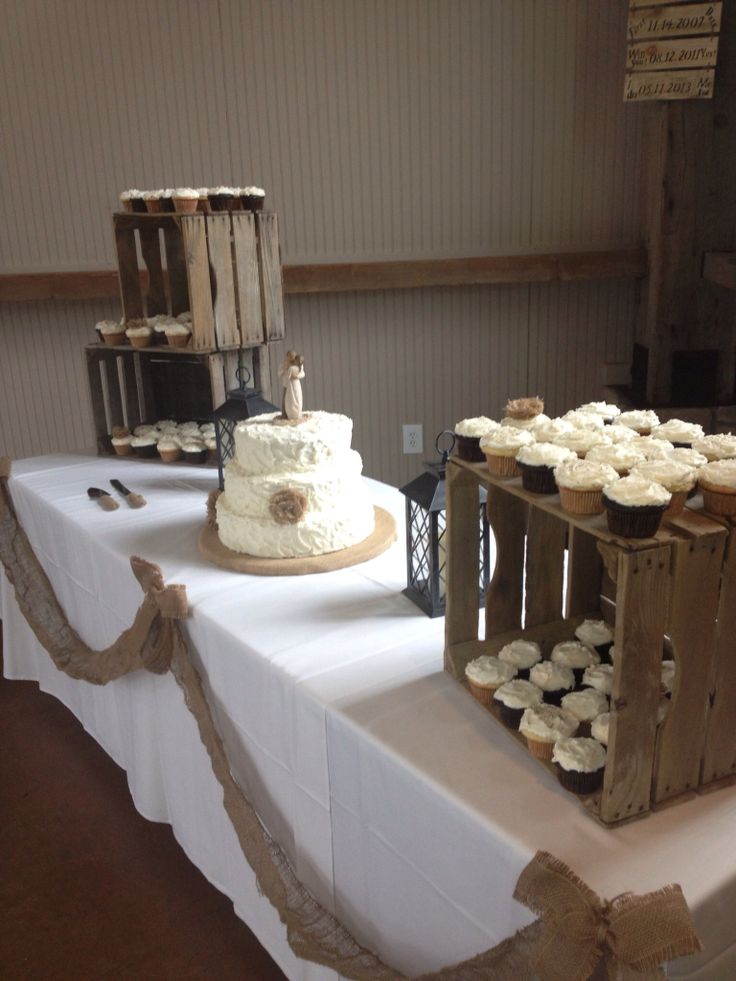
426	536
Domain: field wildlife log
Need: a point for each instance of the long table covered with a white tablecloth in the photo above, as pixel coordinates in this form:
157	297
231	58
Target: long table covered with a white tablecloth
402	805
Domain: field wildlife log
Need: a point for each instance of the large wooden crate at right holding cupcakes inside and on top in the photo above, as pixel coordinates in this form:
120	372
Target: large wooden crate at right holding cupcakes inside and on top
675	591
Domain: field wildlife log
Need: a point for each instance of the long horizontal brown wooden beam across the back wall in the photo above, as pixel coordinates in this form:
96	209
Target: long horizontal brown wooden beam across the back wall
358	276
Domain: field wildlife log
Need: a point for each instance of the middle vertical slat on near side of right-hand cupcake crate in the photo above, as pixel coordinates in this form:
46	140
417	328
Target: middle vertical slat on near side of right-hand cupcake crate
691	628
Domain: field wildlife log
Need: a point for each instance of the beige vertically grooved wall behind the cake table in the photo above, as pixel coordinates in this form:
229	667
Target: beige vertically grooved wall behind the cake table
381	130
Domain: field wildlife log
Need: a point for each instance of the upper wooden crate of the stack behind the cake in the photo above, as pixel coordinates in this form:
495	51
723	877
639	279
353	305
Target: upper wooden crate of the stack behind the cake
223	267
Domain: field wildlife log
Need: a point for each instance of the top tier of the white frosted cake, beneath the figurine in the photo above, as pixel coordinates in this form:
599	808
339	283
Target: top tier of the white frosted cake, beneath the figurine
268	444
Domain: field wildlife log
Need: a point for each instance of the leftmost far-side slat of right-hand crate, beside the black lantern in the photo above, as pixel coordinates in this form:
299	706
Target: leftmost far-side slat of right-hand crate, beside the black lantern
507	516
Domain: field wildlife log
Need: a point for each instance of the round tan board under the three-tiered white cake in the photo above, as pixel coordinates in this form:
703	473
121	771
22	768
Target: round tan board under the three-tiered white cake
383	535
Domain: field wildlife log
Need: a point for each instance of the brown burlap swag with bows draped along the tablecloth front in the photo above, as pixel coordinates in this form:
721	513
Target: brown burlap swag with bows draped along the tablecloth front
577	937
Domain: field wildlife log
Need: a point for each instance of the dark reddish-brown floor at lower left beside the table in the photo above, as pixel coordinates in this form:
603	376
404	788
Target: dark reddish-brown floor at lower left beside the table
90	890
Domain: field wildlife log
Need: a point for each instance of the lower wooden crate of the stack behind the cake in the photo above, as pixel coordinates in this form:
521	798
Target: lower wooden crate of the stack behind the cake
130	387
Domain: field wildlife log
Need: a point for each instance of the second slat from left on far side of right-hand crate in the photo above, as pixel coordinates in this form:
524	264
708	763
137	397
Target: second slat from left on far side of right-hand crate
545	566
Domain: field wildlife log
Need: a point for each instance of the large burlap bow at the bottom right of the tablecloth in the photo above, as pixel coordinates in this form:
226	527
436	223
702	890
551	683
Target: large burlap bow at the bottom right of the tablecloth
631	936
